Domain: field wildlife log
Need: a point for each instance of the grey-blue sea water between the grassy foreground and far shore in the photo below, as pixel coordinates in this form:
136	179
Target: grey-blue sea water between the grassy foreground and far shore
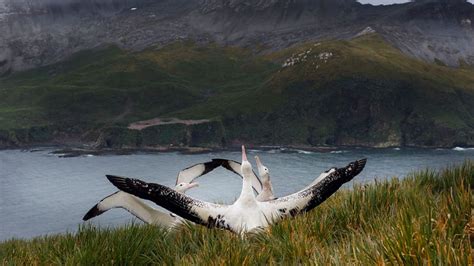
41	193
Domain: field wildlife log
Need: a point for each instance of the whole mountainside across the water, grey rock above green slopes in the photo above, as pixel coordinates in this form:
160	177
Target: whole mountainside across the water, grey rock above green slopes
216	73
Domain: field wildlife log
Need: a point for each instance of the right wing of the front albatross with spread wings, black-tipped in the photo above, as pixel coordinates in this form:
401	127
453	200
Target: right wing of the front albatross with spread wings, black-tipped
310	197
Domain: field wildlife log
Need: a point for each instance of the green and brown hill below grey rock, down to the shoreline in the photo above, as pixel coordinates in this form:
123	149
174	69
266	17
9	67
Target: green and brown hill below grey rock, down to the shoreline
360	92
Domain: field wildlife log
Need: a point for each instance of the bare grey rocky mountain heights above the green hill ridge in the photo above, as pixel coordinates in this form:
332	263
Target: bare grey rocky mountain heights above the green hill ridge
36	33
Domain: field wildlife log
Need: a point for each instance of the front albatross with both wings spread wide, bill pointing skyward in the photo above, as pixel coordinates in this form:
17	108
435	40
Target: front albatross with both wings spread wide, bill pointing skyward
246	214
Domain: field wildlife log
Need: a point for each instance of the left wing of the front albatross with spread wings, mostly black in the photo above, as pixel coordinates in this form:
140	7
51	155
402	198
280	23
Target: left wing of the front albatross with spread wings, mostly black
194	210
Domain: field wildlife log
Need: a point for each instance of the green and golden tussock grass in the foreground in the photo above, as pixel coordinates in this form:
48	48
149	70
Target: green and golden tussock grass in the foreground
424	218
